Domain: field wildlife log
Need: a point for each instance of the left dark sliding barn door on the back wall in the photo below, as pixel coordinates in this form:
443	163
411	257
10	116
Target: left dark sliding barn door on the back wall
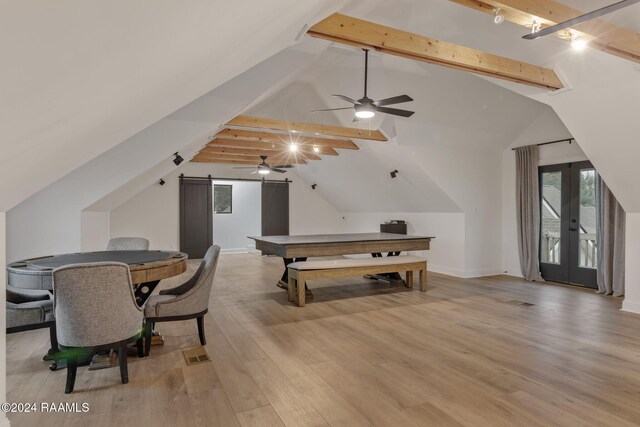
196	220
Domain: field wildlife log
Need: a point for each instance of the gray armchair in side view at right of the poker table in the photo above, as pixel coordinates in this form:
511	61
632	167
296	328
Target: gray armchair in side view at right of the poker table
187	301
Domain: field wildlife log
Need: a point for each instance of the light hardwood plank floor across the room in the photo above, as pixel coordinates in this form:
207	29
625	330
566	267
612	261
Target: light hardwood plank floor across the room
464	353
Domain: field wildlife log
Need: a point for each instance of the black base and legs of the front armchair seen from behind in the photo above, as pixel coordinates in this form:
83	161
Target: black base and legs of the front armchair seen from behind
73	356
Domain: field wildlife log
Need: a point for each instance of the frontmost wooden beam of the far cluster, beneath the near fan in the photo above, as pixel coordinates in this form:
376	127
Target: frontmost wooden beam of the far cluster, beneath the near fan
306	128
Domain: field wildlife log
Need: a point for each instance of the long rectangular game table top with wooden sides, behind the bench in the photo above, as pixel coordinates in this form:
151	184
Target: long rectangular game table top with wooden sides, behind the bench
339	244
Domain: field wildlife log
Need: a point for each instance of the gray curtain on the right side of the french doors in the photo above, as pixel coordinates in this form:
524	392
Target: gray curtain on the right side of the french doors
610	228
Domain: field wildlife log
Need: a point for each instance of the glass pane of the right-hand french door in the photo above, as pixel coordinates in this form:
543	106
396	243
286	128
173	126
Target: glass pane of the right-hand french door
588	245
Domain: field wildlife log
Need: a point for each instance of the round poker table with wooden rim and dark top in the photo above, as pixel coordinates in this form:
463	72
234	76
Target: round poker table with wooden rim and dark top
147	268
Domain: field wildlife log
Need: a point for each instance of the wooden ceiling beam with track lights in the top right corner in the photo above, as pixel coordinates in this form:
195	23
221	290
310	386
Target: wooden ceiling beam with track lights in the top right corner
602	35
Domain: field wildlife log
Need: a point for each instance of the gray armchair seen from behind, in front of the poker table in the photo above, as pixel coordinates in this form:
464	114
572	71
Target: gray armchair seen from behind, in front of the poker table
95	309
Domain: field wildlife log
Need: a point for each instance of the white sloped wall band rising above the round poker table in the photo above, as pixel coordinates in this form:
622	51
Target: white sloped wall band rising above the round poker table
52	216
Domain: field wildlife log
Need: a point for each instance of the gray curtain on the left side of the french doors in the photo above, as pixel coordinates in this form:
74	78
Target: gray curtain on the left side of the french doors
528	211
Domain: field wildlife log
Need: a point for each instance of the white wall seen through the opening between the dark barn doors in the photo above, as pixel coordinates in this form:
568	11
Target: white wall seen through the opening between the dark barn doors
230	231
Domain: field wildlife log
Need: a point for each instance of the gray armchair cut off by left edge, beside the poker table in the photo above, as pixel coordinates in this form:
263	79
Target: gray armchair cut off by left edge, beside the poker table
29	309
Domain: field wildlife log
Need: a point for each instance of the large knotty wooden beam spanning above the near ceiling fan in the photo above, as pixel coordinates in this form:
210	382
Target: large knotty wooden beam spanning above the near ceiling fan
357	32
